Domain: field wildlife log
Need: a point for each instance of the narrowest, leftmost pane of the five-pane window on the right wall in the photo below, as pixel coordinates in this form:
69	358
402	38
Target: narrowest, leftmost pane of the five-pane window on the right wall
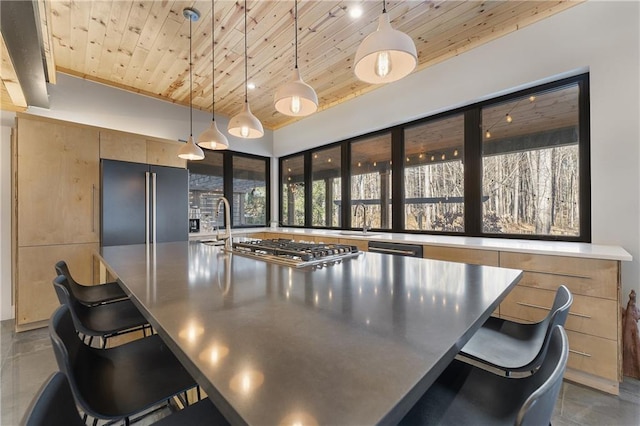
292	208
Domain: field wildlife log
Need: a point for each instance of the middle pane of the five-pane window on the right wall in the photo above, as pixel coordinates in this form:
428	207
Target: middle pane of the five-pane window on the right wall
371	181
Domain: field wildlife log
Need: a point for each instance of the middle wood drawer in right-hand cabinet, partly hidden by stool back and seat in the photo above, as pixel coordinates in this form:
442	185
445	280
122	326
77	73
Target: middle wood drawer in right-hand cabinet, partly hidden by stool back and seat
588	315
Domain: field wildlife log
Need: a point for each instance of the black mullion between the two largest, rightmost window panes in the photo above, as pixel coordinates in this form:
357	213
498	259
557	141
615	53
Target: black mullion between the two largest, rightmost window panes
472	172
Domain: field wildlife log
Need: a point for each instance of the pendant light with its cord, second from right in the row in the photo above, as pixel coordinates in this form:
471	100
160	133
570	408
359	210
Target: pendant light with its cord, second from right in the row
296	98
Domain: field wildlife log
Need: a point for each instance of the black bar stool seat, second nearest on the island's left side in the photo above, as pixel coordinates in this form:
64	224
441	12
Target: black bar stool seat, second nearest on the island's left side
116	383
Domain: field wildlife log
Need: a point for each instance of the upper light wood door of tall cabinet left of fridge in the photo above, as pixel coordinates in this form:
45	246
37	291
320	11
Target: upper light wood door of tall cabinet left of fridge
58	183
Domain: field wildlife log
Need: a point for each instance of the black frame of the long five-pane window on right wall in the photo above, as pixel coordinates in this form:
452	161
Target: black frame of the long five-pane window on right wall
473	168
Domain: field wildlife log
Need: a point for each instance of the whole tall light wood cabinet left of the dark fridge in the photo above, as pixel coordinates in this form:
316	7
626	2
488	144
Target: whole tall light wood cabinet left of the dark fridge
57	178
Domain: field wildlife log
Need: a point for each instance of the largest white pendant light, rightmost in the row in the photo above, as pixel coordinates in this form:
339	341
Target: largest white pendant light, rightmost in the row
386	55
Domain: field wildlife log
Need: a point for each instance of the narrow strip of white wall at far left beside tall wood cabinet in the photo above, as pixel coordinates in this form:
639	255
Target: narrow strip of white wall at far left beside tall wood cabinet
6	305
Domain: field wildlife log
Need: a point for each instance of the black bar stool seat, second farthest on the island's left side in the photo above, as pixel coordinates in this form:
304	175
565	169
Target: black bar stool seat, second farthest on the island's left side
104	321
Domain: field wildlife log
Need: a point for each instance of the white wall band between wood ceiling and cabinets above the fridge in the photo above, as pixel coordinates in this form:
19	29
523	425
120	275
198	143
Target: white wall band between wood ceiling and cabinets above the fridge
86	102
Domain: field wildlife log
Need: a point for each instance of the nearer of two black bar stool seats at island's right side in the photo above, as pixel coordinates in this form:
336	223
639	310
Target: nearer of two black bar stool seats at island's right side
468	395
